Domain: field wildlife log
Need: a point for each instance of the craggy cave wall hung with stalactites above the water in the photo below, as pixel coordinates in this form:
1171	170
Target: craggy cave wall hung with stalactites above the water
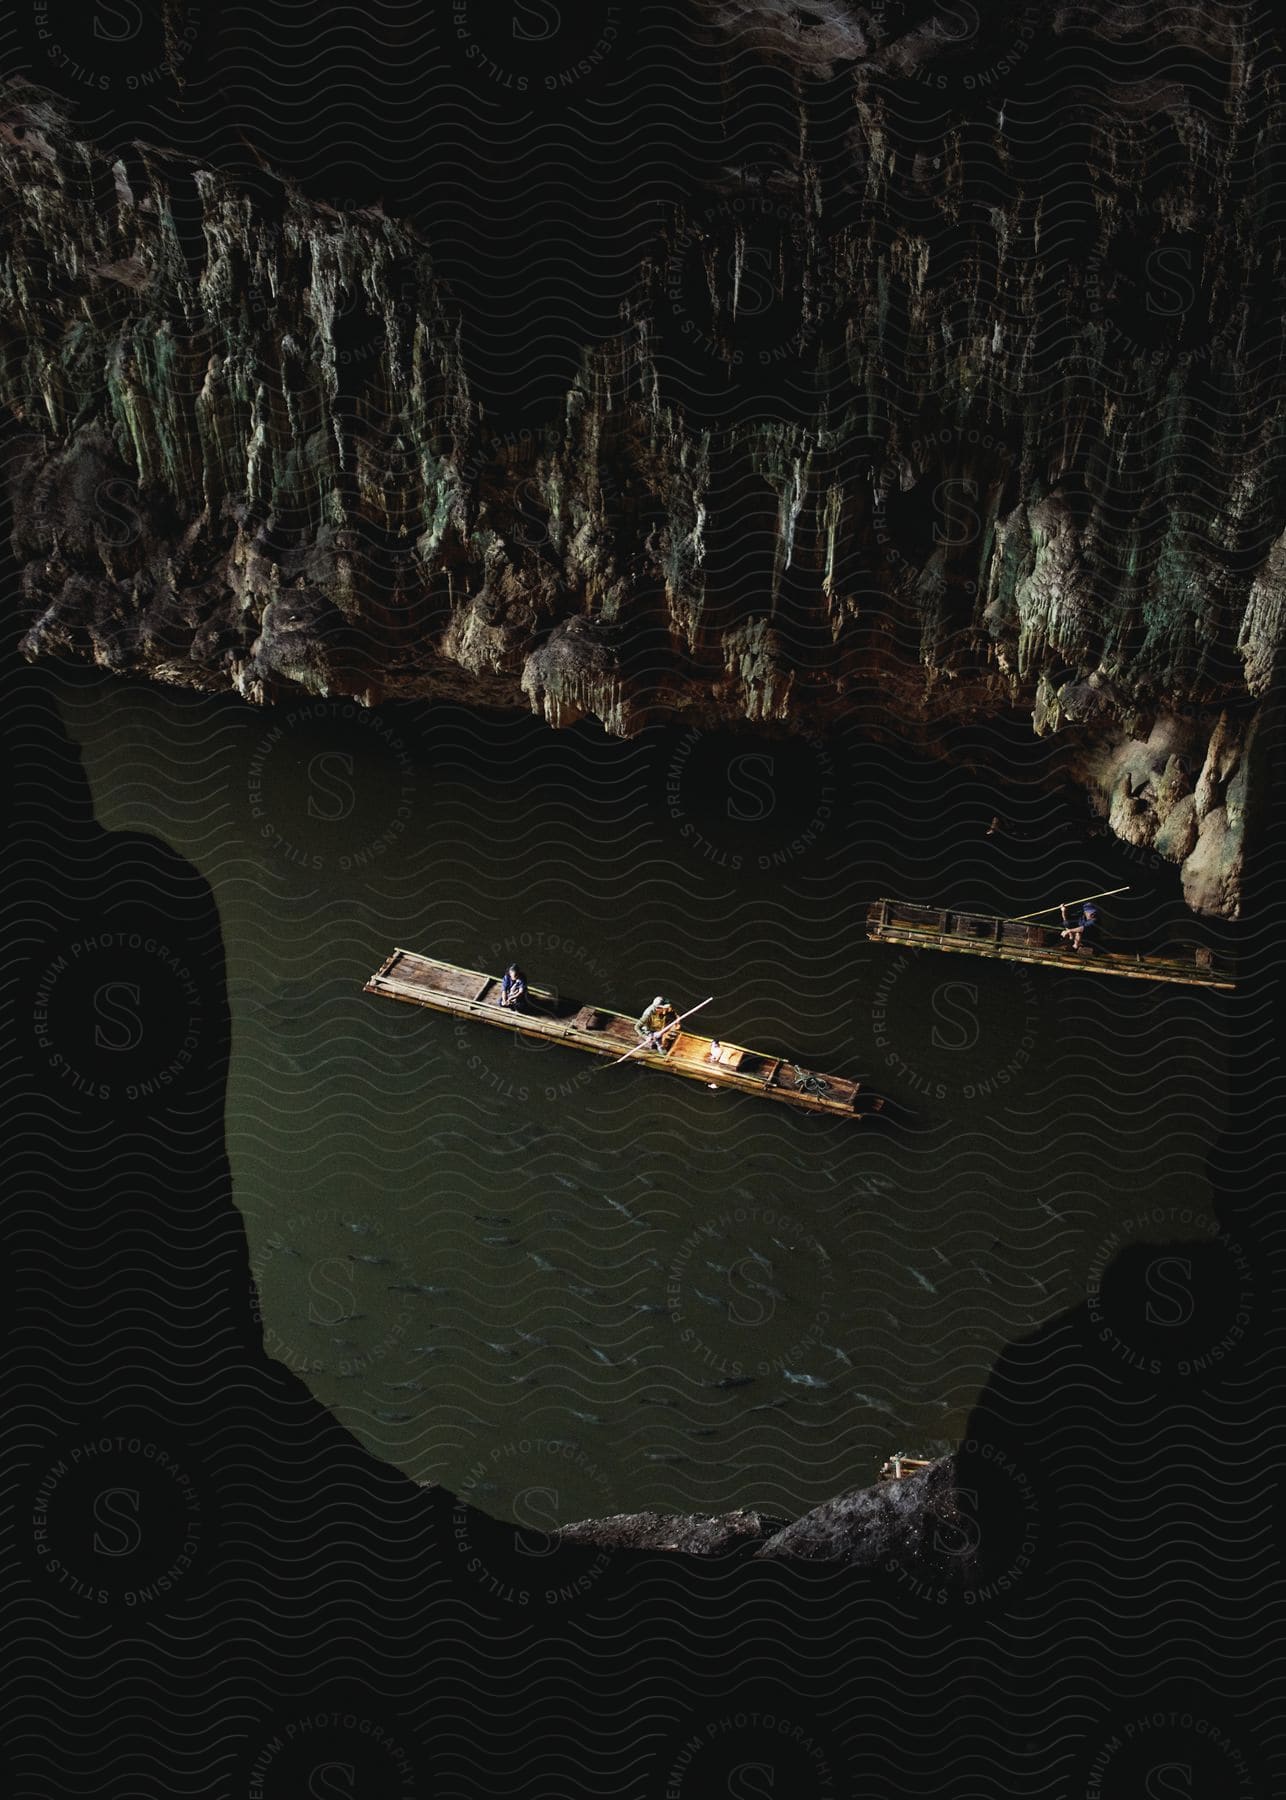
961	406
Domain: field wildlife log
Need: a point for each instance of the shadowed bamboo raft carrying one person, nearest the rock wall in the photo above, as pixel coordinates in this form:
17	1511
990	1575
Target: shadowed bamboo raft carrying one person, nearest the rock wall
927	928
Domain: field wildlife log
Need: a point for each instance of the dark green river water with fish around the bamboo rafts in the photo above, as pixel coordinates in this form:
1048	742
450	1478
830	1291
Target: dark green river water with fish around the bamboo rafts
563	1290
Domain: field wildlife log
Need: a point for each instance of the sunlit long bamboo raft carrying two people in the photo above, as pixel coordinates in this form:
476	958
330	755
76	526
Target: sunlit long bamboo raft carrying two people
471	994
